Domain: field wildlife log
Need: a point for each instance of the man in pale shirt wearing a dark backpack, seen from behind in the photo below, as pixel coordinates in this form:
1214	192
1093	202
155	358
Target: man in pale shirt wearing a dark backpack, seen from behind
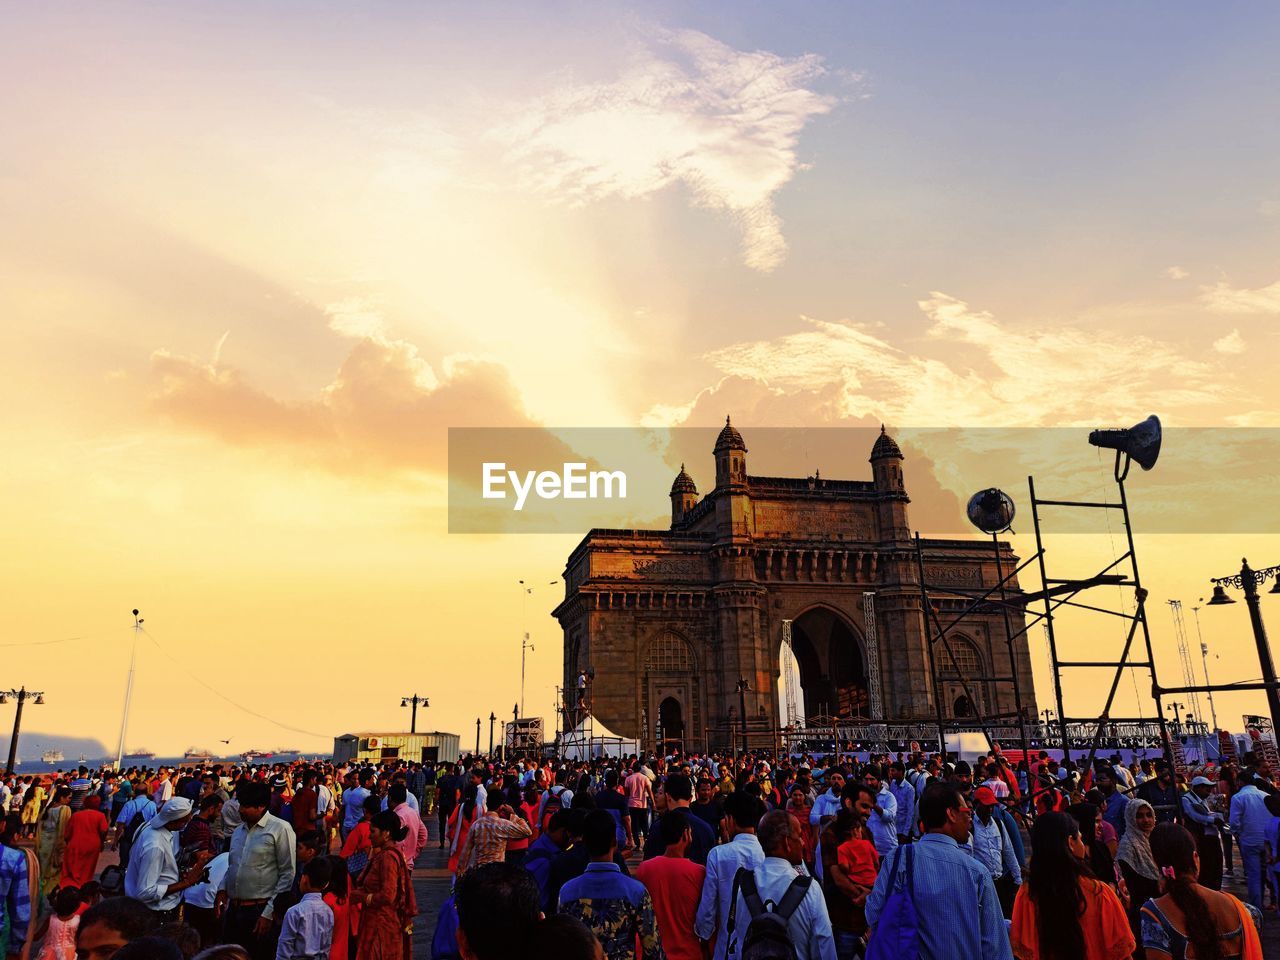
779	881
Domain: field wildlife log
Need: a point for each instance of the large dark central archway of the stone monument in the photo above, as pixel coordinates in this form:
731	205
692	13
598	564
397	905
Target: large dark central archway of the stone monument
833	665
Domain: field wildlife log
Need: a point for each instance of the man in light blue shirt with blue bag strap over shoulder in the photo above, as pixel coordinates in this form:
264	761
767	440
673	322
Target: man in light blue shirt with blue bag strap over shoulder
957	908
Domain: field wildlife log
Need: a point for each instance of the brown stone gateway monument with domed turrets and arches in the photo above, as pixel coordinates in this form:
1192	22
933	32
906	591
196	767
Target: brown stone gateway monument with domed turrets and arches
668	624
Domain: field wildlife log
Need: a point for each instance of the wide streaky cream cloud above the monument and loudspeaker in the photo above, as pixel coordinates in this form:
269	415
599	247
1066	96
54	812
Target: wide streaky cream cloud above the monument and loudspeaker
976	371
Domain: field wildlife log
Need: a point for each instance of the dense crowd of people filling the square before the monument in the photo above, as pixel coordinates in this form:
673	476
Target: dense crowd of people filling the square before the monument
692	858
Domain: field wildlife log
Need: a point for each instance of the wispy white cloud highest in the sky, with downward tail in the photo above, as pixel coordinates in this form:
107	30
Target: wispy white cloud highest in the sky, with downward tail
687	109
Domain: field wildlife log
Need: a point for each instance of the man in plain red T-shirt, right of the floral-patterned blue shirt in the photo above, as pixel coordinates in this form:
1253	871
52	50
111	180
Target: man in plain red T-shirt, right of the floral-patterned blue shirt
675	885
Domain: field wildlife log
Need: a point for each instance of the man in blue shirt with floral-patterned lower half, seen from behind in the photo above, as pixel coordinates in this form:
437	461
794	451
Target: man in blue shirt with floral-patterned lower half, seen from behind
616	908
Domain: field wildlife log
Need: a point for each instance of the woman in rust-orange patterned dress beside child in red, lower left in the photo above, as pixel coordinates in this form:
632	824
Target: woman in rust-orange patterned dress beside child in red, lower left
386	895
